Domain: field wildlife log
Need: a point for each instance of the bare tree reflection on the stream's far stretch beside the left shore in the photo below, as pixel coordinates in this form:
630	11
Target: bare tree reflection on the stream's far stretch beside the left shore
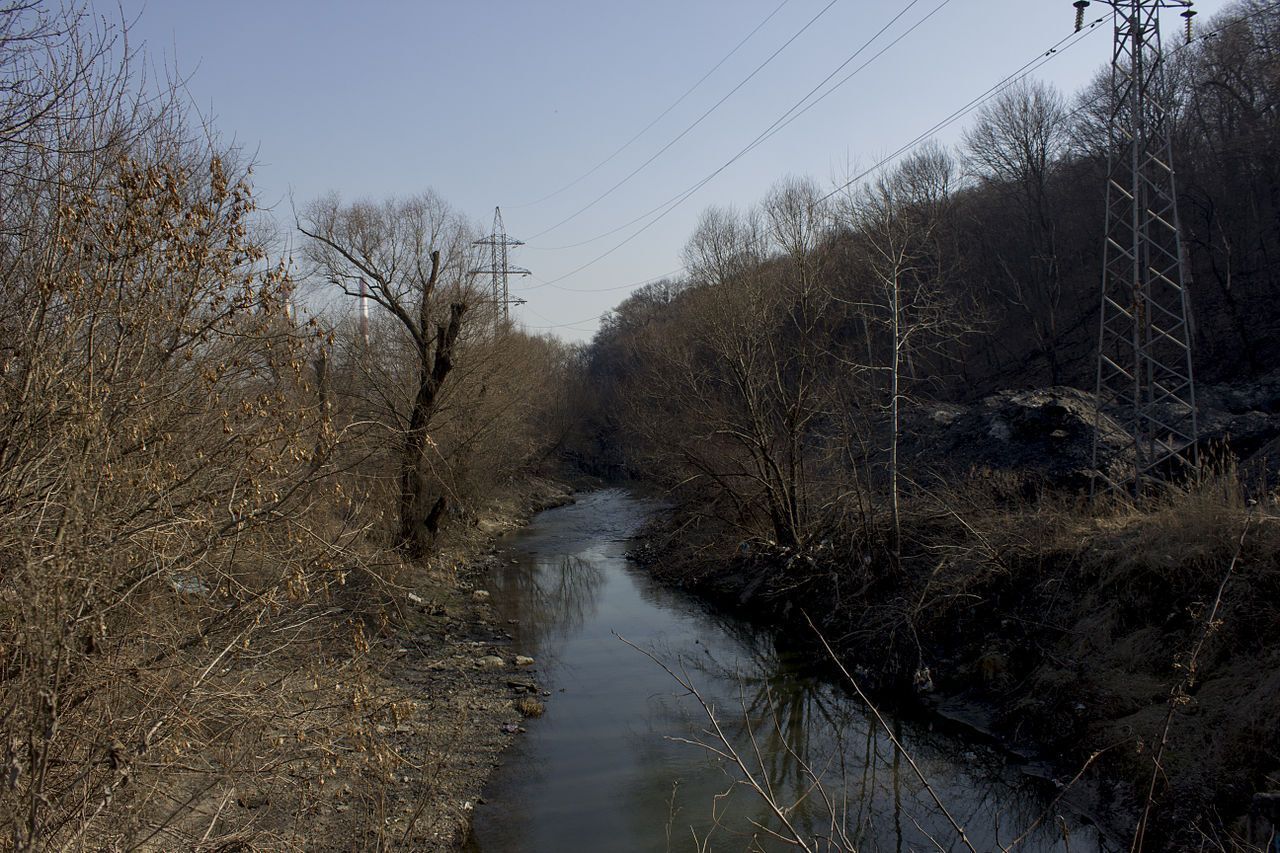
546	599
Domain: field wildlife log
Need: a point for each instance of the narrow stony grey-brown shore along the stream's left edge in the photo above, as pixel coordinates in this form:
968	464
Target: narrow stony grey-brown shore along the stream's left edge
472	688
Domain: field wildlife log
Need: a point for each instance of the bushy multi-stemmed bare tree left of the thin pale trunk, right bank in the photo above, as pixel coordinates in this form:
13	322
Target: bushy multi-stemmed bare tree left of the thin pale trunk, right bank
742	373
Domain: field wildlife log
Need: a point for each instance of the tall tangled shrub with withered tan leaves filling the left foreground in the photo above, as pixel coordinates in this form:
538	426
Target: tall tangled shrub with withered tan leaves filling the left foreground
168	646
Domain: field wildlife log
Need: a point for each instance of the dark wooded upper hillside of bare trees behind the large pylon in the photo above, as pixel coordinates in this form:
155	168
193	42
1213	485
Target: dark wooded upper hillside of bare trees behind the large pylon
999	241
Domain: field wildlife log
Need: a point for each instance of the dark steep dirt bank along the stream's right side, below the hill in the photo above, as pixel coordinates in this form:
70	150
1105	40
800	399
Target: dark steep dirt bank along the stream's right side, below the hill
1064	633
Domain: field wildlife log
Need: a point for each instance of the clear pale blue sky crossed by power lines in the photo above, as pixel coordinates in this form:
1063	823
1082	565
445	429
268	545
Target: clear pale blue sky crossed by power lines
495	103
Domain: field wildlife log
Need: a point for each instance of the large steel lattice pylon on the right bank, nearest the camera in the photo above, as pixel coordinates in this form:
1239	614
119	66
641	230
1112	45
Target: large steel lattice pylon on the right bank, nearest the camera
1145	335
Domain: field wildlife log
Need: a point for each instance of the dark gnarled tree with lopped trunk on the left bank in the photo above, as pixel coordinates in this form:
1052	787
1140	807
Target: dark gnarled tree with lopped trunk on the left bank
413	257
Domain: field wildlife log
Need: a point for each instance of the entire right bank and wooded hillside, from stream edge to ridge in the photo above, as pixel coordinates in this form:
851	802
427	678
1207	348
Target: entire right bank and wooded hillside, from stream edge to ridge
874	408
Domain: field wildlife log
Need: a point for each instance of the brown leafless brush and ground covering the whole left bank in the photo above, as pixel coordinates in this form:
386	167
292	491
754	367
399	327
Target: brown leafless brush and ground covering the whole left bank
204	615
